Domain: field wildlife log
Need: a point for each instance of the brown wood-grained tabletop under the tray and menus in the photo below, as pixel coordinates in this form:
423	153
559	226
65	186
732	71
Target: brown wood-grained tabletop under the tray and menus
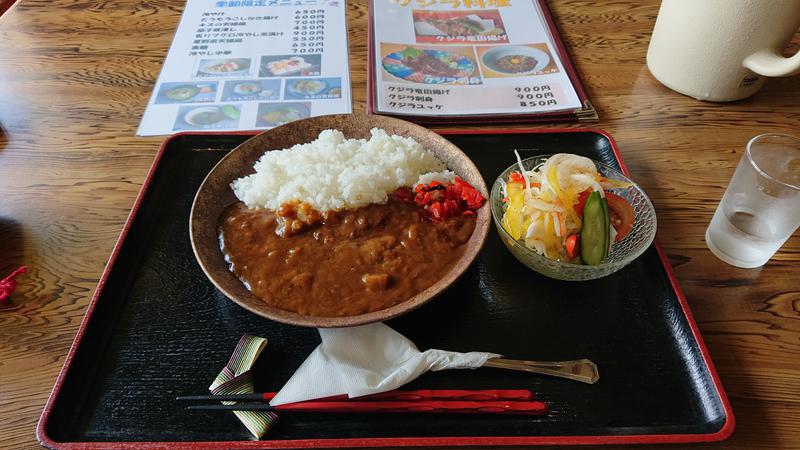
75	77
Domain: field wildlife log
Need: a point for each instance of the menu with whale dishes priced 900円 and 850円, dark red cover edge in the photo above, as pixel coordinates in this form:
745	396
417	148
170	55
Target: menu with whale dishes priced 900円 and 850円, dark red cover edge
462	61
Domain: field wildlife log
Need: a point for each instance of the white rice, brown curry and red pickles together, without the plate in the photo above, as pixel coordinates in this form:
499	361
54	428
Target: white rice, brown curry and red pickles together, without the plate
340	227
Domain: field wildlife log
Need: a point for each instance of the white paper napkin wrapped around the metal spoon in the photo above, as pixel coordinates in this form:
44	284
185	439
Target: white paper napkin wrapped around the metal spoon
366	360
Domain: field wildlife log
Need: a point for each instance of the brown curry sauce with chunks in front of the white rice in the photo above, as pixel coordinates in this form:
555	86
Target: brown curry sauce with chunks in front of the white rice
343	263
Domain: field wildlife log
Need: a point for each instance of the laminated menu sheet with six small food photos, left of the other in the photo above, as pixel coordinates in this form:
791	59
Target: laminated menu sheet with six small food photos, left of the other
251	64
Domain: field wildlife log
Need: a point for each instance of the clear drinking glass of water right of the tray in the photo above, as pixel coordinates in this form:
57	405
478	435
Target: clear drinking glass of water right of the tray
761	207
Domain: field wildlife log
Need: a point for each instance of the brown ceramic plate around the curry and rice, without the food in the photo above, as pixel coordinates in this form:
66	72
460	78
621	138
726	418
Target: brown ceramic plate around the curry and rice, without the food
215	195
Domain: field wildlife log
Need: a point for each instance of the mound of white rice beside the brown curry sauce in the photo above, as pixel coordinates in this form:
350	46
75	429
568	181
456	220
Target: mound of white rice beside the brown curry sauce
333	173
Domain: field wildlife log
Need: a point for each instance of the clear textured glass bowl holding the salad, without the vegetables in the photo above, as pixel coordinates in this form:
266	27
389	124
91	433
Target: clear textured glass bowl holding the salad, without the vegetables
622	252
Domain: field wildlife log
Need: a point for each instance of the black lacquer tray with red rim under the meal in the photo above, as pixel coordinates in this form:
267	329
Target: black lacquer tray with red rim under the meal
157	328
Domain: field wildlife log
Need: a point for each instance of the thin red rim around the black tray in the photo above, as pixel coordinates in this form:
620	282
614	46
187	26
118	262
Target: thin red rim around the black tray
723	433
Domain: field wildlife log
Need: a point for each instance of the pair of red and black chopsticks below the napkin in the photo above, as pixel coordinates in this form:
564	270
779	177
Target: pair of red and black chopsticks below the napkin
494	401
